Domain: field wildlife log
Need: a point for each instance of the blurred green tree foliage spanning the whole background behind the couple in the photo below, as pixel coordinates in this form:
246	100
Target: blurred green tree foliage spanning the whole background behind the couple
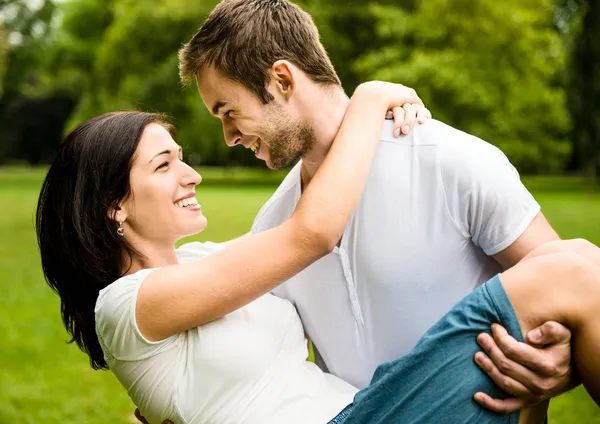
494	69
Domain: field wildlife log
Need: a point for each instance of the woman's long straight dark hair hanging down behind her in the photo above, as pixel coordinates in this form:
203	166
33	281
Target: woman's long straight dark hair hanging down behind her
79	245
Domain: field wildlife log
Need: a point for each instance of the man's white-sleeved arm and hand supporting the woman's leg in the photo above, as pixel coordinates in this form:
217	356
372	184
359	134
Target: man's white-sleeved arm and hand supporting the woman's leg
489	204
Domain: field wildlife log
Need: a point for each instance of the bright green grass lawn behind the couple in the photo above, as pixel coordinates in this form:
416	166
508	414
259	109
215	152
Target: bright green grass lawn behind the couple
45	380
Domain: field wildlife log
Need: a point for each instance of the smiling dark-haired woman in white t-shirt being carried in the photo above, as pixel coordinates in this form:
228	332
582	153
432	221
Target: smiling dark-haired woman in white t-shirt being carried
193	334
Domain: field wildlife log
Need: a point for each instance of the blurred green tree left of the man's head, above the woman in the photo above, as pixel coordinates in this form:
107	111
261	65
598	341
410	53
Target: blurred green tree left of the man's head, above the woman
132	64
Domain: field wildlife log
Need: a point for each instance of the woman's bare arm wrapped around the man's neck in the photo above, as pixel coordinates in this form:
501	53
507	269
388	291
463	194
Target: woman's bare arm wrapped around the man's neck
179	297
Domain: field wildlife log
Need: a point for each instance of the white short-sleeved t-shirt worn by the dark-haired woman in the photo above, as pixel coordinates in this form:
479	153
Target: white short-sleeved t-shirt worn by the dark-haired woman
247	367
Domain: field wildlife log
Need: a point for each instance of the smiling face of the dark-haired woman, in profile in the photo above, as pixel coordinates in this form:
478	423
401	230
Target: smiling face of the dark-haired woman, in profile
162	205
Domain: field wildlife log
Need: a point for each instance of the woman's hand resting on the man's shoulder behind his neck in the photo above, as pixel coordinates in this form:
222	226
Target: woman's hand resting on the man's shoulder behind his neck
404	105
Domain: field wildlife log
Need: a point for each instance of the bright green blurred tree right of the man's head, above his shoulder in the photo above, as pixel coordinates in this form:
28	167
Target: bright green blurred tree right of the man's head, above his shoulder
489	68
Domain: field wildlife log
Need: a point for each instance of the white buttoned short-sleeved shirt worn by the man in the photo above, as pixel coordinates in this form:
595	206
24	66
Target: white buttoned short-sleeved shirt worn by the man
437	202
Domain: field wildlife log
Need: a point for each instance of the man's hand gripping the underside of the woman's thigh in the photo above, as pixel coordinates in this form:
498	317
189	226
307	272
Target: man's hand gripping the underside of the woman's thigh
532	371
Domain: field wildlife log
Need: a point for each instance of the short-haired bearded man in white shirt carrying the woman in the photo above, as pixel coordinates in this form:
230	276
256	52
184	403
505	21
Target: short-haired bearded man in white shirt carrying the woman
443	211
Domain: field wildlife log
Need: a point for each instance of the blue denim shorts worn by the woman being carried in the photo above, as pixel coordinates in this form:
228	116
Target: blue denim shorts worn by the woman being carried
435	382
